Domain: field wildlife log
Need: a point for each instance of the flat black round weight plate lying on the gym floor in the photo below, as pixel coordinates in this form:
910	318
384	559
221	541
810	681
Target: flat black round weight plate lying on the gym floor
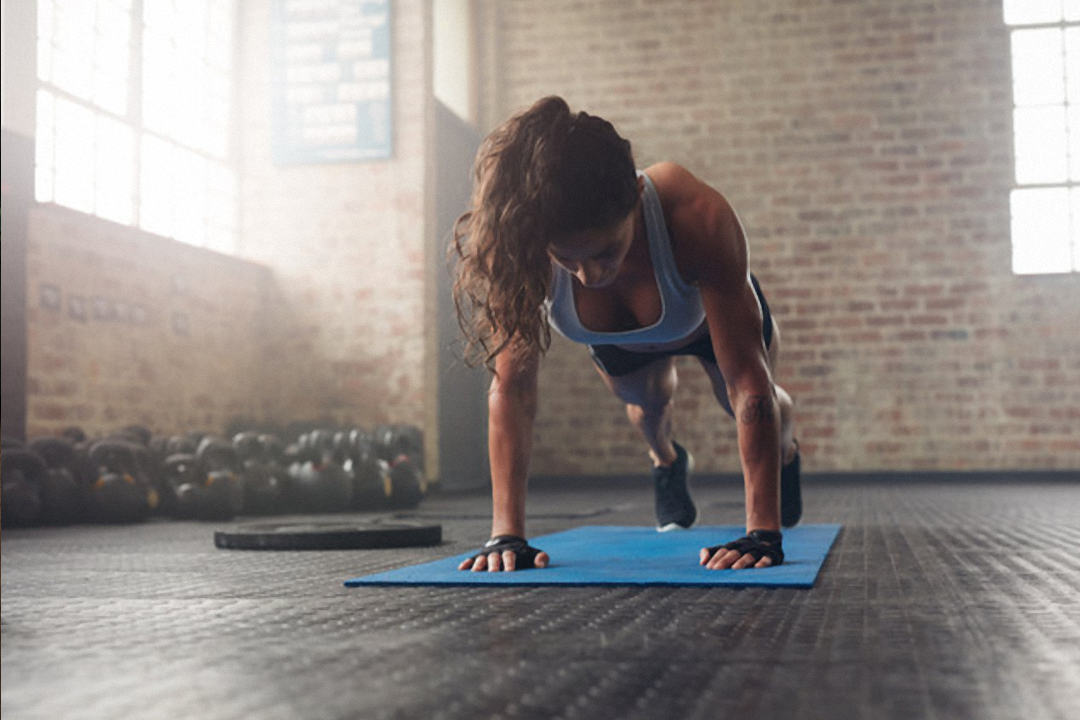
328	537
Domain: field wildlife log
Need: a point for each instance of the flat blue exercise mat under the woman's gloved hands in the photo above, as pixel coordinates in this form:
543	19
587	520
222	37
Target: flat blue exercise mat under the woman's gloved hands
602	555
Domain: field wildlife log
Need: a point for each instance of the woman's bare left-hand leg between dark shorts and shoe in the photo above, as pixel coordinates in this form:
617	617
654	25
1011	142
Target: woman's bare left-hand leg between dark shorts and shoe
649	393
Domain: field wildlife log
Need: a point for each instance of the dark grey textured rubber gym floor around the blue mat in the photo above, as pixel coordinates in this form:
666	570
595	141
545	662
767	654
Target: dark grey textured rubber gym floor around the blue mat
952	602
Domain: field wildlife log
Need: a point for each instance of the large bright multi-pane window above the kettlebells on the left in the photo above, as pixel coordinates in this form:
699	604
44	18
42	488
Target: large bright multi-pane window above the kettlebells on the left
134	115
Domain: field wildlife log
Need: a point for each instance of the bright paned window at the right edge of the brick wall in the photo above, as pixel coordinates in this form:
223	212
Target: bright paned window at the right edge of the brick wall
1046	201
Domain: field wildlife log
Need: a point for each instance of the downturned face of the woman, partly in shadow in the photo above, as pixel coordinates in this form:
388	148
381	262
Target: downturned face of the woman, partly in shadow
596	256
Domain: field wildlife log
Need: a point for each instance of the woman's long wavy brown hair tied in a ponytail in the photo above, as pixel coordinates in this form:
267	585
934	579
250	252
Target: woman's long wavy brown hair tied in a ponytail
543	174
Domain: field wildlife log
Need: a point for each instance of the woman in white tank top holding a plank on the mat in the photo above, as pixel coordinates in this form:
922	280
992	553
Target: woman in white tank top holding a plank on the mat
564	233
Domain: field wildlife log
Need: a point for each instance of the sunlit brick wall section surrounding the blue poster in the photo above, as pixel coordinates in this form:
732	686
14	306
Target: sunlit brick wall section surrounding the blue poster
346	241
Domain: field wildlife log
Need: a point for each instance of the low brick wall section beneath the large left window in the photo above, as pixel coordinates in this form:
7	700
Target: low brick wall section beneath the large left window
127	328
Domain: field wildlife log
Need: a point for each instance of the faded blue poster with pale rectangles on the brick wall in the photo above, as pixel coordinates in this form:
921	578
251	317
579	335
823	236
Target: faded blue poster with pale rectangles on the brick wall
331	81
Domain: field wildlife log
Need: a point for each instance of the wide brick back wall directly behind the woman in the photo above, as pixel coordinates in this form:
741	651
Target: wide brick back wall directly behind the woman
868	148
